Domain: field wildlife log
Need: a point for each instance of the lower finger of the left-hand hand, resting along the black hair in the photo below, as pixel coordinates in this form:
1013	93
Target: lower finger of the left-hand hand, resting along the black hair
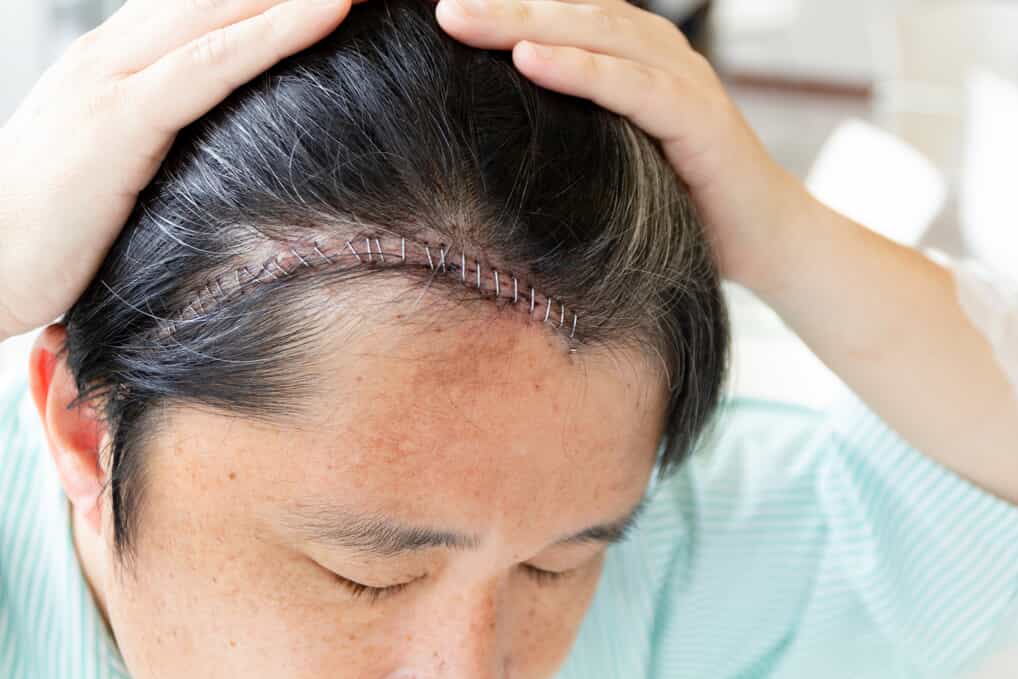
204	73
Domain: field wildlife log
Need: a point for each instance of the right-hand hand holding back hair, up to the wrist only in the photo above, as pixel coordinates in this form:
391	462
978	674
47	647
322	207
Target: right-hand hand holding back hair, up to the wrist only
639	65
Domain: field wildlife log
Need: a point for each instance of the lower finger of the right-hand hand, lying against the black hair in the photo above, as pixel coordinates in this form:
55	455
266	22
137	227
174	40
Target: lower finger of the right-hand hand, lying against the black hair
654	99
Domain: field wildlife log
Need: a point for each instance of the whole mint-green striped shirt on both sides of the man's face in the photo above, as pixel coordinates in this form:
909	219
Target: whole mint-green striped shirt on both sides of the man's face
796	545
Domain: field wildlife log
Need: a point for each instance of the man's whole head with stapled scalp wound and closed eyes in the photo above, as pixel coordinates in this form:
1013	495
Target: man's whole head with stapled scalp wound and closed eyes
246	445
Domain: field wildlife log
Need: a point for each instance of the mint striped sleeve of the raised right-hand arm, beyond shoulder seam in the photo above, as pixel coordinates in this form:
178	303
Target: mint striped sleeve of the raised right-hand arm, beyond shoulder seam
939	569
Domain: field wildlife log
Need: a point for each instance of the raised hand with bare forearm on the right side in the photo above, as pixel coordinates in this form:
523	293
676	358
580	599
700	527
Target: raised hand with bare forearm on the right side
883	317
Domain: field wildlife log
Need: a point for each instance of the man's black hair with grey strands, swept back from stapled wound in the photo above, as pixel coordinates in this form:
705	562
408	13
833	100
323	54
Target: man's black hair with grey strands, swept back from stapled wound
388	124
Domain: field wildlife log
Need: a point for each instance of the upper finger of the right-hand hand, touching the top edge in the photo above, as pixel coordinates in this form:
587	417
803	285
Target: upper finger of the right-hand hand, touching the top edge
609	28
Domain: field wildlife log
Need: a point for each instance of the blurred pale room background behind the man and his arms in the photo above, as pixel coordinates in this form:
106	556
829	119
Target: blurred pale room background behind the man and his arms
899	112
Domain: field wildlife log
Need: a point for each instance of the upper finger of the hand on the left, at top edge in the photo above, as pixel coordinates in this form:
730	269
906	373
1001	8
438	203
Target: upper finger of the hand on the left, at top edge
157	29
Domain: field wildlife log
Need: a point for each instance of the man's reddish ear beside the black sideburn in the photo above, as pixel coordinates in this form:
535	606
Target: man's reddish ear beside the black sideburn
75	435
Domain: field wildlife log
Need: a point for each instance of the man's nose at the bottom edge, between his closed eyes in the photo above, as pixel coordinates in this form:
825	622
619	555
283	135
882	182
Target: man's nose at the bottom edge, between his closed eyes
469	639
